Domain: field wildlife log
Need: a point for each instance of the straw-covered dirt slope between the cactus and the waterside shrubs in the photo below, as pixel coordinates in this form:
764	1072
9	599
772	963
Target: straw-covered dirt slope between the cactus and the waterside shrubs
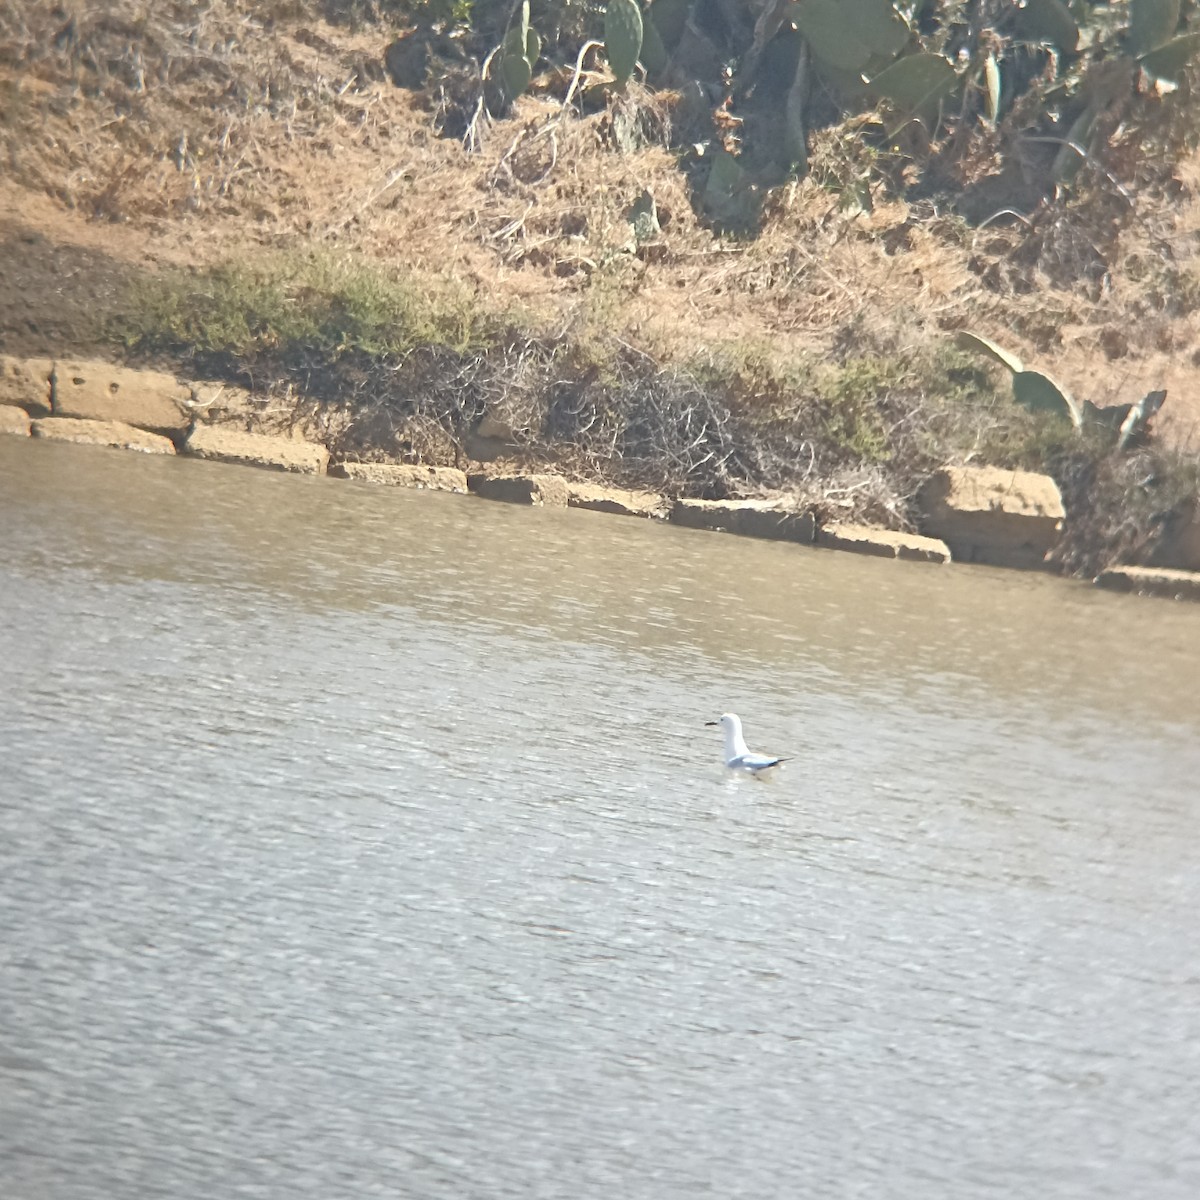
143	135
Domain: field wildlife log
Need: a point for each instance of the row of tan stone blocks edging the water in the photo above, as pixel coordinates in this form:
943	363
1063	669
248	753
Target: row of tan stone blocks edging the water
995	517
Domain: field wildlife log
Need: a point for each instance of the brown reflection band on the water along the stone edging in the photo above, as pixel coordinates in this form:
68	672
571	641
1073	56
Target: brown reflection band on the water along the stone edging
628	585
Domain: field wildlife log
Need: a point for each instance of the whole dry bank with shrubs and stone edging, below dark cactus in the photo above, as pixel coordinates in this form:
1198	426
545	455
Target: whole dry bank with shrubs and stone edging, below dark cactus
555	303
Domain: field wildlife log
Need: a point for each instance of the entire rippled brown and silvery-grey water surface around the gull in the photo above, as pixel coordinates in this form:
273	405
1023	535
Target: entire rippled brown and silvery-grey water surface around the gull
363	843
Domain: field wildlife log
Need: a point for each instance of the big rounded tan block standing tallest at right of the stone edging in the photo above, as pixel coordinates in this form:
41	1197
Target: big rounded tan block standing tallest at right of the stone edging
992	515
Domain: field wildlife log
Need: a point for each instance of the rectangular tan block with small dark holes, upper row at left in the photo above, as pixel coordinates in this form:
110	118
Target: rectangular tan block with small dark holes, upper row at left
99	392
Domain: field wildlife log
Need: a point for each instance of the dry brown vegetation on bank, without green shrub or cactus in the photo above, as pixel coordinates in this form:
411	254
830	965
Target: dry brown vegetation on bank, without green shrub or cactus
140	137
